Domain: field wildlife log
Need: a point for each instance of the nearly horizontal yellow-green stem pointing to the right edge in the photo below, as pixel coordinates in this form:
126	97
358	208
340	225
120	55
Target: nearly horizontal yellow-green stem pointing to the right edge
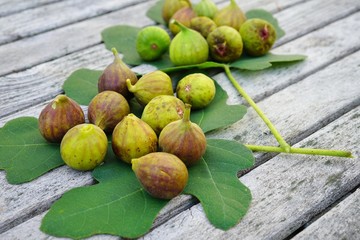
309	151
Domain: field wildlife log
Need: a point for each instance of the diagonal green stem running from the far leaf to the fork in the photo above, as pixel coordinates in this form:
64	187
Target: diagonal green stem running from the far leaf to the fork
283	144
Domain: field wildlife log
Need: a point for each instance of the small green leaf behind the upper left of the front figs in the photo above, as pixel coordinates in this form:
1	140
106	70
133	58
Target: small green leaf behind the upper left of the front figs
81	85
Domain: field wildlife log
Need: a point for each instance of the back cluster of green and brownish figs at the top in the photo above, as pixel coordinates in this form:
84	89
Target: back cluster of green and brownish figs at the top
203	32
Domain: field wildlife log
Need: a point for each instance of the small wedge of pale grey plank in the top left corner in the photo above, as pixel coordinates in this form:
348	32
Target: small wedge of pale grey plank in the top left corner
8	7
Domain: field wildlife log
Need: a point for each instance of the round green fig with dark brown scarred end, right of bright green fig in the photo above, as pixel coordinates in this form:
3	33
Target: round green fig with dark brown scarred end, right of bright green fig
225	44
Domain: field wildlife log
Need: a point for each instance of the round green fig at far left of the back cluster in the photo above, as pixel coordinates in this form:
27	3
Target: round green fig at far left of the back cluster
152	42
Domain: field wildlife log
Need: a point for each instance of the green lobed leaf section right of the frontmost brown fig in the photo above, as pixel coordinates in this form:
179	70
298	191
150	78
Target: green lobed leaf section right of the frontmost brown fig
214	182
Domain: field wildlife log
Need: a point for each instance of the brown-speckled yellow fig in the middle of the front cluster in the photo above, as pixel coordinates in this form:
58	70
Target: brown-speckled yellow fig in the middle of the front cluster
161	111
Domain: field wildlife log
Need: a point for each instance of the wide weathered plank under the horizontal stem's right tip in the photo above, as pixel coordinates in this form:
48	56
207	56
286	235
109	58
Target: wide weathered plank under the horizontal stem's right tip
287	190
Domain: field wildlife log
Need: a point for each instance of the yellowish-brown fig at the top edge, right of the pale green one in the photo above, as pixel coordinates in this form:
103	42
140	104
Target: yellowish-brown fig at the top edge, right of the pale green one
231	16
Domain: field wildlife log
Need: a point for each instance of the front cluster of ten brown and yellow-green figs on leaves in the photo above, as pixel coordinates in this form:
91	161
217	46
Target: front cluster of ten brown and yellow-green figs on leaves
160	145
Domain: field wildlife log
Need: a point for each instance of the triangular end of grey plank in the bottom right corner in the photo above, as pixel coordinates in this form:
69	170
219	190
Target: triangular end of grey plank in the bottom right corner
341	222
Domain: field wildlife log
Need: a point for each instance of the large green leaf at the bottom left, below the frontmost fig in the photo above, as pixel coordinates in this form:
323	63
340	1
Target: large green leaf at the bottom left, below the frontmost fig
117	205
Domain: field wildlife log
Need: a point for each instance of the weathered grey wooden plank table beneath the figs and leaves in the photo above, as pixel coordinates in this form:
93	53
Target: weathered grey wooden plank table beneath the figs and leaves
314	103
